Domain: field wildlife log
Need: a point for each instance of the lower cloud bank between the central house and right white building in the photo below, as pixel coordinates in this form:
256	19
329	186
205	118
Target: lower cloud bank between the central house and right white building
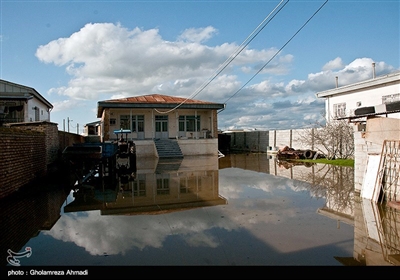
272	104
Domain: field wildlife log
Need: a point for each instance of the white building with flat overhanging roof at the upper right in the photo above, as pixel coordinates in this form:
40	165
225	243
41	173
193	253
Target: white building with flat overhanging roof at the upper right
378	96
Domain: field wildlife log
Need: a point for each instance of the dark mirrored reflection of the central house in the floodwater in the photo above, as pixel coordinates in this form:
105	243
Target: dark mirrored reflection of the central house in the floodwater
157	187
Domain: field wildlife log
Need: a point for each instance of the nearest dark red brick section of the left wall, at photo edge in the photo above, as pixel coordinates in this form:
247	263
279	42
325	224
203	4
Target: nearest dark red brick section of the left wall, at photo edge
23	158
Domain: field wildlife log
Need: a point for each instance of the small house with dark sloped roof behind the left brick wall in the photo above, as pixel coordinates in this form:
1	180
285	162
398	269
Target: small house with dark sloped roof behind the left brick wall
20	103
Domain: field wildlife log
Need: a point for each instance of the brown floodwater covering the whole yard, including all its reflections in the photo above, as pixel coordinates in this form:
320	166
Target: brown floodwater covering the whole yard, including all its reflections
238	210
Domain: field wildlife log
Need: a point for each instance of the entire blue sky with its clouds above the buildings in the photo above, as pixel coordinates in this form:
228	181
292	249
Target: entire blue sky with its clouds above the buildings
76	53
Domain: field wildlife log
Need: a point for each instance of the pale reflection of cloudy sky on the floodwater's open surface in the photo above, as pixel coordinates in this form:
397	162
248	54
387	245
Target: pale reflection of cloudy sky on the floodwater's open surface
271	209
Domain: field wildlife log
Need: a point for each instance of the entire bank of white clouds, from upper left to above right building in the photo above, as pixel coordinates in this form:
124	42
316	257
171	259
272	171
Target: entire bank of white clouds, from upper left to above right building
107	61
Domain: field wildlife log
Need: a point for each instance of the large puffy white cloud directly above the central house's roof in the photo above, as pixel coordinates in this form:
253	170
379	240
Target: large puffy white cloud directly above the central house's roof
108	58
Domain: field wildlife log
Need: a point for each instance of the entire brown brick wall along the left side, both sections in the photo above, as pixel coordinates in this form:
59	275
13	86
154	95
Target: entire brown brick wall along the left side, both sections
28	150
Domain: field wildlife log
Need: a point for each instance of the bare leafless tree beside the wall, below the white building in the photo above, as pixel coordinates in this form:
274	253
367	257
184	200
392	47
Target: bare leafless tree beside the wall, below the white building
335	139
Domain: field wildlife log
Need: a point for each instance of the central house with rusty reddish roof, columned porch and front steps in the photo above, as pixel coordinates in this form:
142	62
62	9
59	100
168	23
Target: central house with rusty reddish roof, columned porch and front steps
193	124
